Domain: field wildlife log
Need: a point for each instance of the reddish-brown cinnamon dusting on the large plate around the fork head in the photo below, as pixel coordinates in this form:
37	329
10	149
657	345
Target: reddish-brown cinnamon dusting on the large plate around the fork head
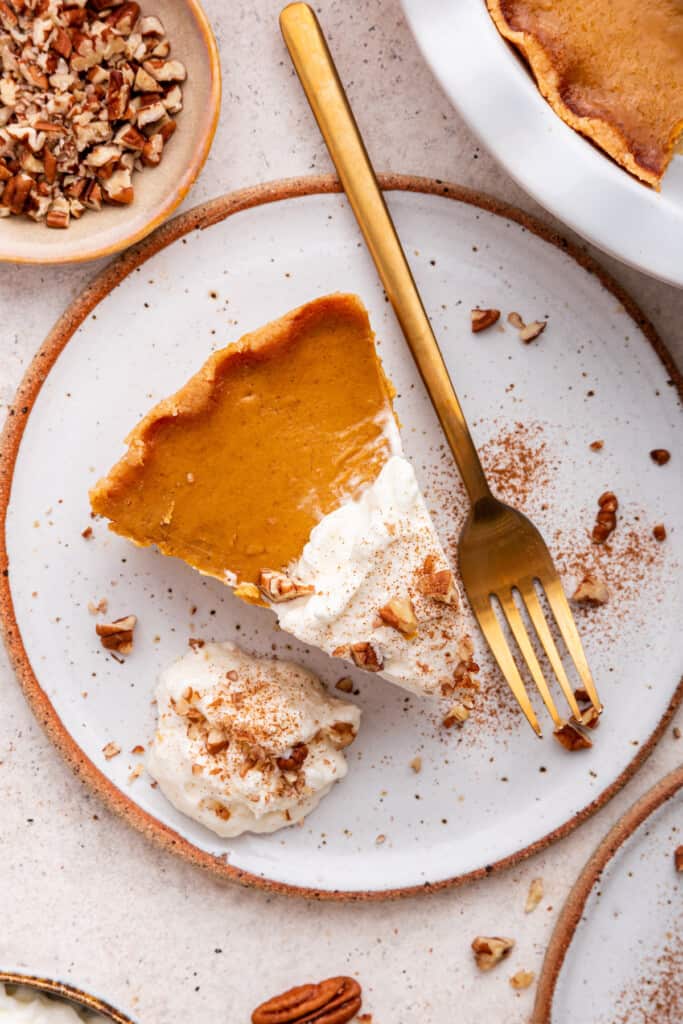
524	463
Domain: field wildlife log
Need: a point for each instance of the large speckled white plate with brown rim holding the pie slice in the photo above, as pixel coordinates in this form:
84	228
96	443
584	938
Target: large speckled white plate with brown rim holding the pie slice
491	793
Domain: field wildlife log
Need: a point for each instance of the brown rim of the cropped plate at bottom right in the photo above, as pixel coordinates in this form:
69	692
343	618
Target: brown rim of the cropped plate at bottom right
573	910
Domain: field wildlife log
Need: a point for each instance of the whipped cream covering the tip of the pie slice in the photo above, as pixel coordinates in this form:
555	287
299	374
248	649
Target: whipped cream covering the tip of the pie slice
366	554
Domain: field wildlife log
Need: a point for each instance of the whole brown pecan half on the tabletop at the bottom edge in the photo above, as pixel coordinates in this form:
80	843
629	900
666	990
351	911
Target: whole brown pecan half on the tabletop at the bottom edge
335	1001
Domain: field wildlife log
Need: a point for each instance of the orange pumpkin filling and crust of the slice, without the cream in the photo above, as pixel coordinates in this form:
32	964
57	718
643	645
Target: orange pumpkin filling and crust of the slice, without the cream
233	473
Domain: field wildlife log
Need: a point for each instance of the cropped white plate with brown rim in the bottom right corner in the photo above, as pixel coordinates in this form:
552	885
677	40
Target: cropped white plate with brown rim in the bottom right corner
626	915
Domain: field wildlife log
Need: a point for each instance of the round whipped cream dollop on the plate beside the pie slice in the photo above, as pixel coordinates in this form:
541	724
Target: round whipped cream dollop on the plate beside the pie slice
247	744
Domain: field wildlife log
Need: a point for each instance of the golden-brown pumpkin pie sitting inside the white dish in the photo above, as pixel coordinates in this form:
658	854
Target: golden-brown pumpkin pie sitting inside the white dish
612	69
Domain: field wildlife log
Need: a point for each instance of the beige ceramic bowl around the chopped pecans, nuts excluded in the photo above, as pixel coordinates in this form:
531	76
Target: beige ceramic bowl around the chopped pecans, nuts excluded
158	191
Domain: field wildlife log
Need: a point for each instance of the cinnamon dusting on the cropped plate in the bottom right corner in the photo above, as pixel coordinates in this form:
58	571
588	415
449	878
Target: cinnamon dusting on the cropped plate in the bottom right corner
658	997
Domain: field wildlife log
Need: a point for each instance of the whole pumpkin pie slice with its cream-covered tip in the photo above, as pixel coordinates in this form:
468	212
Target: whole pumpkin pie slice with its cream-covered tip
279	470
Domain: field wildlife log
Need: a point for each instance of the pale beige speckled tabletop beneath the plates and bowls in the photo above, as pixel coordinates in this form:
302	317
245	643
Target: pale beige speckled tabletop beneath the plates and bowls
84	898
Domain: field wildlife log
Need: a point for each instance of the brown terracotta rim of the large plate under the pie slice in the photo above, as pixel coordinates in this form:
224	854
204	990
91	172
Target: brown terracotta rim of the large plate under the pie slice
204	217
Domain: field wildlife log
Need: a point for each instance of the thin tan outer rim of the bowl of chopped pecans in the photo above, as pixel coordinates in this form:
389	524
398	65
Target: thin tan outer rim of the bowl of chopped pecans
188	180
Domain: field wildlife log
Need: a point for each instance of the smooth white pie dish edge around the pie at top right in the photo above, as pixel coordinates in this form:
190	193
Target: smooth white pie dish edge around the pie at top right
494	91
